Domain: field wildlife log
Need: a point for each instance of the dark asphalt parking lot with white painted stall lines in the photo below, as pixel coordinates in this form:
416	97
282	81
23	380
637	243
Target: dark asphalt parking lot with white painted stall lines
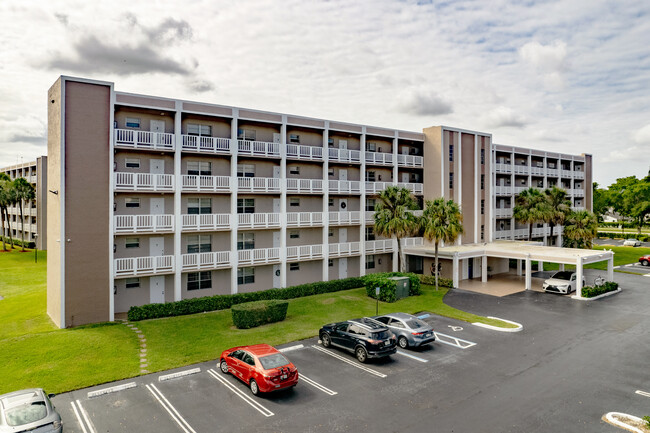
572	363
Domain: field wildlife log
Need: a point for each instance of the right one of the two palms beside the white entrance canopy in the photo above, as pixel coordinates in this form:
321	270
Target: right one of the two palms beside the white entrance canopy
441	221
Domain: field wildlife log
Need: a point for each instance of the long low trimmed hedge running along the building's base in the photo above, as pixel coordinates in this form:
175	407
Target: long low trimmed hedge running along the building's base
223	302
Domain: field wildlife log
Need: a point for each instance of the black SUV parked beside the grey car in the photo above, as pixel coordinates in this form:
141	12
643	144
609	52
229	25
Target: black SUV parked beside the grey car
366	338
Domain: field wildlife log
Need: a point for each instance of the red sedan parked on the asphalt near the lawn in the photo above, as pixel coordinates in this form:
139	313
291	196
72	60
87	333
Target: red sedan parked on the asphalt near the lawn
262	367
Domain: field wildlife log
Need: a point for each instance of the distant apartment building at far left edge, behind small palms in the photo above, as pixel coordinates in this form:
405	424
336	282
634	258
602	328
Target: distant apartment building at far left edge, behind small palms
34	211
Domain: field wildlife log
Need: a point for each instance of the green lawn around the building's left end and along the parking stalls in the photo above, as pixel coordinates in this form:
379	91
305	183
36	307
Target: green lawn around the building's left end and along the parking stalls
35	353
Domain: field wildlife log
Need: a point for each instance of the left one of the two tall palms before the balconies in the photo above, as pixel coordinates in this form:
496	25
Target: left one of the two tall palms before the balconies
392	218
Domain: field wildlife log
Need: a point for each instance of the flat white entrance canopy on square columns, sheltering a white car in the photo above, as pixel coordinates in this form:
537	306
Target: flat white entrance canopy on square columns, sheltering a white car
520	250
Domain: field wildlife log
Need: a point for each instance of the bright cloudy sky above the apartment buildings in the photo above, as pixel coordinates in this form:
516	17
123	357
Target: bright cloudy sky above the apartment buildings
570	76
